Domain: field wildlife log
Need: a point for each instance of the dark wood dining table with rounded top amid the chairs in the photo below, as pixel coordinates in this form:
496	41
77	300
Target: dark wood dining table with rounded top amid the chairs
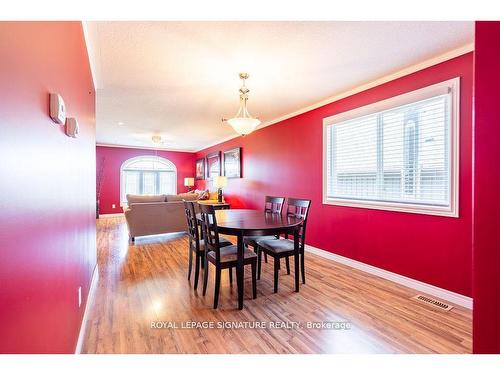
243	222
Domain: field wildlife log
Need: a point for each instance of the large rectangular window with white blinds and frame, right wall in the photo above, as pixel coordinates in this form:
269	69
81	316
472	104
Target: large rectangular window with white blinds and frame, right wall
400	154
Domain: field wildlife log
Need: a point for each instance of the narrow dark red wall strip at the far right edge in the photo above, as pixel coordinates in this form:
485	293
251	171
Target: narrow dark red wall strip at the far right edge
486	321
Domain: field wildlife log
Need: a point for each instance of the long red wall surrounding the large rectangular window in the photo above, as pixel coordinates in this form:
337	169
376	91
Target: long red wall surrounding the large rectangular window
286	159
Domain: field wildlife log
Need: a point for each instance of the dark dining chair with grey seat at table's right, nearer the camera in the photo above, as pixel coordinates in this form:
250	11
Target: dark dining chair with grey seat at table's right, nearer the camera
284	248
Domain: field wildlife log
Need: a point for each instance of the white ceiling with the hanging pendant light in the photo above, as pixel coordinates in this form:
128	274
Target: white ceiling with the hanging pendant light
177	79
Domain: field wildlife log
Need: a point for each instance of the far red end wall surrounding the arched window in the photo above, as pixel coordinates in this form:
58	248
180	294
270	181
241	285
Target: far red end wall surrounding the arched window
112	159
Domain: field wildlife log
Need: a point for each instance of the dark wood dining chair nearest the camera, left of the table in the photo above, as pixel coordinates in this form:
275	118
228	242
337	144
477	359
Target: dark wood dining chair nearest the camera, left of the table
222	257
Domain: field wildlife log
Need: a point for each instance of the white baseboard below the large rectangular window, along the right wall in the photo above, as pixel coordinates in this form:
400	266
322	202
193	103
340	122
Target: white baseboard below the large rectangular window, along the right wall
455	298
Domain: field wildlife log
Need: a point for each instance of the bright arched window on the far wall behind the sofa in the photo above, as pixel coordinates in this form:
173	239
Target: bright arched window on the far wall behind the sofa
147	175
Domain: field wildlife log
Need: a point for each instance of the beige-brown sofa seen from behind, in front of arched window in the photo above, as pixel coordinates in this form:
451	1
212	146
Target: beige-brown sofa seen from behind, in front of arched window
157	214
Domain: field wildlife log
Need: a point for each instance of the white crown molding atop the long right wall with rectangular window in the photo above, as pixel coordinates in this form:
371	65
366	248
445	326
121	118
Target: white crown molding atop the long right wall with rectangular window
387	78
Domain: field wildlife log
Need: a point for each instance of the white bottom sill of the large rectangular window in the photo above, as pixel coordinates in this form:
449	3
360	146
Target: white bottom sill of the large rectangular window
398	207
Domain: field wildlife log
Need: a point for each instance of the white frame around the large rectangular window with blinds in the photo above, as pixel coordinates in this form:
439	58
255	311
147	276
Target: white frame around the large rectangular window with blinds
452	87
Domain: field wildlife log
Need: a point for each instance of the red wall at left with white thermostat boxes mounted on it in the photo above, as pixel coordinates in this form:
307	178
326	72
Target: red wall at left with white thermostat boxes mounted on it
47	188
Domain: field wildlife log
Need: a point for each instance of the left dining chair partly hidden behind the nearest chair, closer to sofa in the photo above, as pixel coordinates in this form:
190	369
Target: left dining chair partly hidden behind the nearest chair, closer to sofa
196	242
